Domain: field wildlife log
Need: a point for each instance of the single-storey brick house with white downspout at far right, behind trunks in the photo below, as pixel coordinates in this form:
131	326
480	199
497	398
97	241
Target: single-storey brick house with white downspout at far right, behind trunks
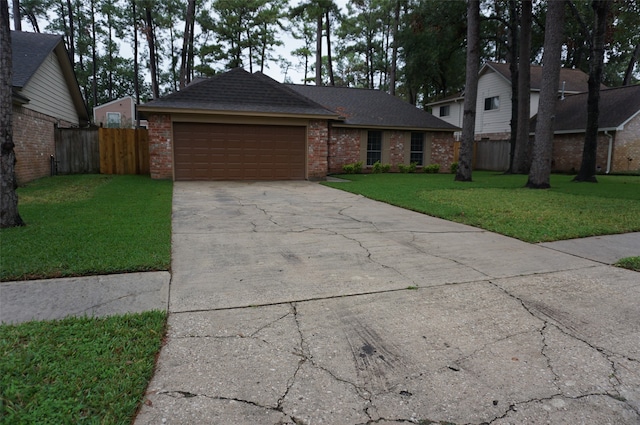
618	131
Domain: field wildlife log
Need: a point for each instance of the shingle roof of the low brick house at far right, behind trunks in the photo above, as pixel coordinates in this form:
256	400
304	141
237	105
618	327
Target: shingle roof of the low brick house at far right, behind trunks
617	106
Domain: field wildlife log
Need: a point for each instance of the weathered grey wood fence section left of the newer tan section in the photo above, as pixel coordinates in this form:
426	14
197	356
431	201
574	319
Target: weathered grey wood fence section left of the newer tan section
77	151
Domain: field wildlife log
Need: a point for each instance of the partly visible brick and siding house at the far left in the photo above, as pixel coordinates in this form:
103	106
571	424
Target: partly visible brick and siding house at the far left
46	96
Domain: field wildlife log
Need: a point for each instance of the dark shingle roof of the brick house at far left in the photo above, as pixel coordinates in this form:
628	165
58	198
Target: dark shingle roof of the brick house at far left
29	50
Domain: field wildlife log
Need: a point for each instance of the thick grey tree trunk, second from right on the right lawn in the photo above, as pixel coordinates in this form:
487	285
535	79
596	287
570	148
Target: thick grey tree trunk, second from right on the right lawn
540	173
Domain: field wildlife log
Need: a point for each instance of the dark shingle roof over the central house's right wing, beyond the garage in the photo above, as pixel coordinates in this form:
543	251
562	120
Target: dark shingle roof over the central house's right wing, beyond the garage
373	108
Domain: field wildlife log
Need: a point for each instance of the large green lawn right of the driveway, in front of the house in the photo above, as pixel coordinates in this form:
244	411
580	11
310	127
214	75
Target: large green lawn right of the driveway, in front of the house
500	203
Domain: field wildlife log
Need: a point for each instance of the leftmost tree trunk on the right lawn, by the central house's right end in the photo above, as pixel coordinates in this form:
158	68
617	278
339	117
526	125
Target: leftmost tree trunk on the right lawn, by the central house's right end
471	92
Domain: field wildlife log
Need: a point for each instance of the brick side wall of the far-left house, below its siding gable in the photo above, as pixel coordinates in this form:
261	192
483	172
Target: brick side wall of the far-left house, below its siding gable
34	139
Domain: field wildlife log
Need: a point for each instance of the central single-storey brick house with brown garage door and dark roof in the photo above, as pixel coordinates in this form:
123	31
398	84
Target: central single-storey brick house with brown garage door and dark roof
242	126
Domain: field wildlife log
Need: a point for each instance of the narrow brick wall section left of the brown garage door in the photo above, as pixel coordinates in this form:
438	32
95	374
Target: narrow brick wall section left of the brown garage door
160	146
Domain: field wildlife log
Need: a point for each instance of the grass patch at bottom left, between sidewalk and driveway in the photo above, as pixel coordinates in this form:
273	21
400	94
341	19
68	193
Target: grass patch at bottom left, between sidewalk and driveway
77	370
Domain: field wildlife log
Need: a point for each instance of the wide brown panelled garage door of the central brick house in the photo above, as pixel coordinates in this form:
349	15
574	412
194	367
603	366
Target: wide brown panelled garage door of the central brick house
238	152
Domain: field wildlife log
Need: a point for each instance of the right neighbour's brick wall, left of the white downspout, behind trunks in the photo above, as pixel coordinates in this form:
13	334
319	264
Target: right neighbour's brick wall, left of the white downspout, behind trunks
567	152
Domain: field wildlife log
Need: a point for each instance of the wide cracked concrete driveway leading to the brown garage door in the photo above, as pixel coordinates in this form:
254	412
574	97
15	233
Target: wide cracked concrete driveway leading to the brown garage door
294	303
